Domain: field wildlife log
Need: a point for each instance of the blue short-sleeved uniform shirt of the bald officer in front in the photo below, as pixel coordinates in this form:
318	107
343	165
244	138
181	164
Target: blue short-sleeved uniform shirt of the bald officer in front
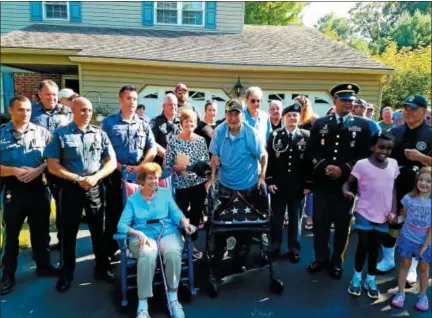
80	152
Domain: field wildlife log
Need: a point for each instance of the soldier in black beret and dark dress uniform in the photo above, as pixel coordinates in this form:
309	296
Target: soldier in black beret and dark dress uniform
285	177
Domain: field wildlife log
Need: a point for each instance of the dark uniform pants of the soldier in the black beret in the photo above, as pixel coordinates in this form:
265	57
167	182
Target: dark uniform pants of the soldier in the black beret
279	202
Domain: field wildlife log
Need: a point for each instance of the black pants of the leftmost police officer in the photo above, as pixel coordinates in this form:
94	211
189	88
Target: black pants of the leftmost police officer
21	201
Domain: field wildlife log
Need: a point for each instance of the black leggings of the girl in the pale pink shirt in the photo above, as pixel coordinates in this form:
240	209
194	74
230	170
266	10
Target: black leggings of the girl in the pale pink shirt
368	246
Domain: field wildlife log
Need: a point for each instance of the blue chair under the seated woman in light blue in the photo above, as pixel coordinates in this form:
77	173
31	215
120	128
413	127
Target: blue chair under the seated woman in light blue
128	264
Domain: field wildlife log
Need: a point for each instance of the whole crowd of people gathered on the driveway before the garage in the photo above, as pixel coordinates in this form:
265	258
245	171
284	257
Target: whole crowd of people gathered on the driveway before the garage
377	173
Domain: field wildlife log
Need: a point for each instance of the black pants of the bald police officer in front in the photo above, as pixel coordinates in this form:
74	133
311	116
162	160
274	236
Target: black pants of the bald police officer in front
73	199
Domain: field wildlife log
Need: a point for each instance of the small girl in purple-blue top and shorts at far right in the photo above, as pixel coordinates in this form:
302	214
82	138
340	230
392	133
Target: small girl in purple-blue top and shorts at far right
415	238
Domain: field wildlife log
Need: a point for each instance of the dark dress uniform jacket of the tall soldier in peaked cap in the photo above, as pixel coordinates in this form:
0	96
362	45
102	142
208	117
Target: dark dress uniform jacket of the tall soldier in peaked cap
331	143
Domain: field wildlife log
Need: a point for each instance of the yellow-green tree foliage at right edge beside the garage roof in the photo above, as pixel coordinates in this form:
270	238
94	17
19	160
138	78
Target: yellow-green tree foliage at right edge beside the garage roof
412	73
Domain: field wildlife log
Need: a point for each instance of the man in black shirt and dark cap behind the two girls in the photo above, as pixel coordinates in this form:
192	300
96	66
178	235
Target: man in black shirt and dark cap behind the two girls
412	149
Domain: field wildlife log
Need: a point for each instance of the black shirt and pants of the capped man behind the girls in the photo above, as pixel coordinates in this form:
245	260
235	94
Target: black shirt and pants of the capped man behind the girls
419	138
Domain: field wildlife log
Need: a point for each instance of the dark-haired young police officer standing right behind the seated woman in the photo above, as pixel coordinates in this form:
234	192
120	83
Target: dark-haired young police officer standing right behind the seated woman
134	145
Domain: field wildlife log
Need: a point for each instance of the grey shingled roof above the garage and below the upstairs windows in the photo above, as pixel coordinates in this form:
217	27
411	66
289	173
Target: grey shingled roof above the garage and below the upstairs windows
284	46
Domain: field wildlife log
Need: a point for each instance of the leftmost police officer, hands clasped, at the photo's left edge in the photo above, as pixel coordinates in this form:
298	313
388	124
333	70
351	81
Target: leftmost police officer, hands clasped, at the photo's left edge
21	166
